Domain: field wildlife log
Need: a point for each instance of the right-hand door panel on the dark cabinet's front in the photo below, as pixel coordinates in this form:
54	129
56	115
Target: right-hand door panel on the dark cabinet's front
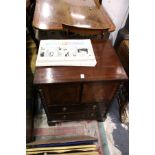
98	91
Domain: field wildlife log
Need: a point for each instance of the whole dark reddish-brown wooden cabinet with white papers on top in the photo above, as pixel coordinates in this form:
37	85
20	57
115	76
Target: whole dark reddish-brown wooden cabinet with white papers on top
66	96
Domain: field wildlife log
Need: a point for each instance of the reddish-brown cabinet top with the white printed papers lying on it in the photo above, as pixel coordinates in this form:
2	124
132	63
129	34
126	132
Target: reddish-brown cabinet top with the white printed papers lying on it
108	67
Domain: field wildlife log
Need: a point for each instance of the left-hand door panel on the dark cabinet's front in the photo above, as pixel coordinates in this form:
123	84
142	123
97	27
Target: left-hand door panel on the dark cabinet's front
57	94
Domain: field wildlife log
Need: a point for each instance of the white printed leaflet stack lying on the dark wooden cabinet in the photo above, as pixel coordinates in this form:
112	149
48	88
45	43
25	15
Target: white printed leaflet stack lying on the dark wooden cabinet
66	53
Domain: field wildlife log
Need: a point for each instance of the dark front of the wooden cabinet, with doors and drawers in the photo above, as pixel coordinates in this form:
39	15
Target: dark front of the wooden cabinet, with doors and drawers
91	101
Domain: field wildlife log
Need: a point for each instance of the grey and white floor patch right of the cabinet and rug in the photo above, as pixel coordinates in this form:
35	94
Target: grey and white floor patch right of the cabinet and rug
117	133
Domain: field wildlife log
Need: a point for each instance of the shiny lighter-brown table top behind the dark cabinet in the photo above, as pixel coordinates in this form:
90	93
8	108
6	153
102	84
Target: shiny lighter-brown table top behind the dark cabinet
50	15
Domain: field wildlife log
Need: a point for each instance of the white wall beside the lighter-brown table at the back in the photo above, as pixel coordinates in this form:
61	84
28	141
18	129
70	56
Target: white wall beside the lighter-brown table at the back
118	11
